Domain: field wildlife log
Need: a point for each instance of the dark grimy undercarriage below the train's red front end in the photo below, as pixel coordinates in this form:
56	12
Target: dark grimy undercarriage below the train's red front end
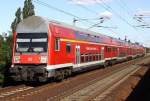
28	73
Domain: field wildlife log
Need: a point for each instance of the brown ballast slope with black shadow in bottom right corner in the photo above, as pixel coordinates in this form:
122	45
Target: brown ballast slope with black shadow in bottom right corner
135	88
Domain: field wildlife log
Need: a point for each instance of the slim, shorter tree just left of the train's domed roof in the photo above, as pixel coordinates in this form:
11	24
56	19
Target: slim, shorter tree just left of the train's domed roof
16	20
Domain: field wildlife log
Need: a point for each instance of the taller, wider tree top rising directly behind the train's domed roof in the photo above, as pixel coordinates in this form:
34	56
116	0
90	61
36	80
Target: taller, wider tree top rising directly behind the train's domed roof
28	9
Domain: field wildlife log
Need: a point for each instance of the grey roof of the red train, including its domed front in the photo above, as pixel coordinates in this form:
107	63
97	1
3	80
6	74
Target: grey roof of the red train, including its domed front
40	24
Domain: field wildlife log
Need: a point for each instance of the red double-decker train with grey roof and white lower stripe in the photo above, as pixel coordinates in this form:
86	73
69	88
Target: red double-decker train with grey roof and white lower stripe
44	49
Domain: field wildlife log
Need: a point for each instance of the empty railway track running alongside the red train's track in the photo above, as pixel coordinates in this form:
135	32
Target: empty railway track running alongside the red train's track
98	88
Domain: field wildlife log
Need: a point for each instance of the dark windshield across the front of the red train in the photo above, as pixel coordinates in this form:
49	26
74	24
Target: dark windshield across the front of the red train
31	43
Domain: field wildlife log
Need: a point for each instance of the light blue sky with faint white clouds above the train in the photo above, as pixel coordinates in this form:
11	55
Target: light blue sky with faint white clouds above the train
118	16
